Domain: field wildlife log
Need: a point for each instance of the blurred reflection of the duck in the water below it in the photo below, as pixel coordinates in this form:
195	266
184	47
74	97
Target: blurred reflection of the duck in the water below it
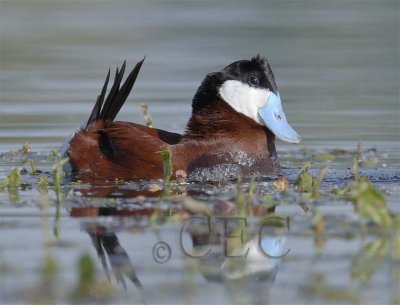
245	269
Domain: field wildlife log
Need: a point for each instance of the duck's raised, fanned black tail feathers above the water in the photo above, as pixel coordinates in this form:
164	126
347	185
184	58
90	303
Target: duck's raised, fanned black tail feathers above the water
107	110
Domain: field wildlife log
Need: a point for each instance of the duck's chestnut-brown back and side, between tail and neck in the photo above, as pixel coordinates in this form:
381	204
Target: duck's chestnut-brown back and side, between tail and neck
119	150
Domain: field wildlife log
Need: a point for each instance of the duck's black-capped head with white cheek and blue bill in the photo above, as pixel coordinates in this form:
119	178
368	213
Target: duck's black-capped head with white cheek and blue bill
248	86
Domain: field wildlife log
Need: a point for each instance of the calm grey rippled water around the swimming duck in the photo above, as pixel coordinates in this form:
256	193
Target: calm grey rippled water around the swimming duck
337	68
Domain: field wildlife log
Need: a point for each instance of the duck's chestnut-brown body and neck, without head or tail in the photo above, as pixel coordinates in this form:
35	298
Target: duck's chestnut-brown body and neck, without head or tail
120	150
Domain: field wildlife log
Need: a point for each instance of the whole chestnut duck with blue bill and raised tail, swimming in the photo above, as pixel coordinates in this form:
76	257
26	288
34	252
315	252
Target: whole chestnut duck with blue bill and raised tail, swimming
236	114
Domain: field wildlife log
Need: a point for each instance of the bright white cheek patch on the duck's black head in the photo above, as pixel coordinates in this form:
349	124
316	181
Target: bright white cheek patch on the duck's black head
244	98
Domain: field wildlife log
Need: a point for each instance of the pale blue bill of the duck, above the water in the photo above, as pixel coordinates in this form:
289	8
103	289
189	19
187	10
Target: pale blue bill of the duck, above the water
274	118
